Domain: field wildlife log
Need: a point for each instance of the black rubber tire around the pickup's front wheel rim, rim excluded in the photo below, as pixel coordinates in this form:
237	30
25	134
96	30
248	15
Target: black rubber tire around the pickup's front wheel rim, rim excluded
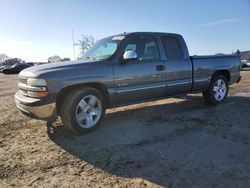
70	105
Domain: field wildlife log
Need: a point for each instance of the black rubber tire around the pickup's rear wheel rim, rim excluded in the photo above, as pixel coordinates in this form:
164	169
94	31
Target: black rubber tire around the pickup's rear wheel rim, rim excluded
209	95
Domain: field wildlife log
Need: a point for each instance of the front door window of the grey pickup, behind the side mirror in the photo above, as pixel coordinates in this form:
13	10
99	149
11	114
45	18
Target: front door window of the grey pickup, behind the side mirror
145	47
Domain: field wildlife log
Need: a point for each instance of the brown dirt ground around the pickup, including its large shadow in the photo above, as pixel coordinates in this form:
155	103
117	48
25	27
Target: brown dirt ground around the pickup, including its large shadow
179	142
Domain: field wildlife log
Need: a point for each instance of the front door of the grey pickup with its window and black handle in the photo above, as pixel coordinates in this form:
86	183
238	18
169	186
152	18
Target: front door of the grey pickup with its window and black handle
141	79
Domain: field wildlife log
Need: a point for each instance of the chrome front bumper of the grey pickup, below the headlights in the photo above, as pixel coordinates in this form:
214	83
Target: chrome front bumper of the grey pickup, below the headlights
35	108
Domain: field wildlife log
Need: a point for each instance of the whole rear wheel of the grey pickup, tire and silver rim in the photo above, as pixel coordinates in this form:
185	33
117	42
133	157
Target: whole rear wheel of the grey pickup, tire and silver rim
217	91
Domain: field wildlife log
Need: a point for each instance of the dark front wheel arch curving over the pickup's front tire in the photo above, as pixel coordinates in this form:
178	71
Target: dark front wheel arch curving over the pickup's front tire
100	87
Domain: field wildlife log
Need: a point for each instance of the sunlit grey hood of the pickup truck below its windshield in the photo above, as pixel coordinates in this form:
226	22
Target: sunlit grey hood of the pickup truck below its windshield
39	70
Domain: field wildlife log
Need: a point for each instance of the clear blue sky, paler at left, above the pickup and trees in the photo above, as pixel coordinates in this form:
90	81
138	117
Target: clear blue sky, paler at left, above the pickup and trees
34	30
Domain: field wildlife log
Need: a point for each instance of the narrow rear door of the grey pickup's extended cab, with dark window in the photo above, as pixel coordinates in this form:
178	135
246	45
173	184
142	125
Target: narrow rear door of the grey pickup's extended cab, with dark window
178	67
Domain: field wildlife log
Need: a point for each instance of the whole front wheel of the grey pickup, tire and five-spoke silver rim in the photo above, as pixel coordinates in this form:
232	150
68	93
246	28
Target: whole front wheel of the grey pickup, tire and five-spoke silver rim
82	110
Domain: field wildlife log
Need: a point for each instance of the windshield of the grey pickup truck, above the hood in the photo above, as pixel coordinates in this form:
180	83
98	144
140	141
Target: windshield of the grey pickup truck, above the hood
104	48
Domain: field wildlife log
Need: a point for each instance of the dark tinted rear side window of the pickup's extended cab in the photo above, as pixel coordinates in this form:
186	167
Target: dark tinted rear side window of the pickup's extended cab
172	48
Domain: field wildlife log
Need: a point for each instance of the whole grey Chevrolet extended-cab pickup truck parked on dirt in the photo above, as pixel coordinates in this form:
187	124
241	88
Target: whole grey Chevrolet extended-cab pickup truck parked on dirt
119	70
